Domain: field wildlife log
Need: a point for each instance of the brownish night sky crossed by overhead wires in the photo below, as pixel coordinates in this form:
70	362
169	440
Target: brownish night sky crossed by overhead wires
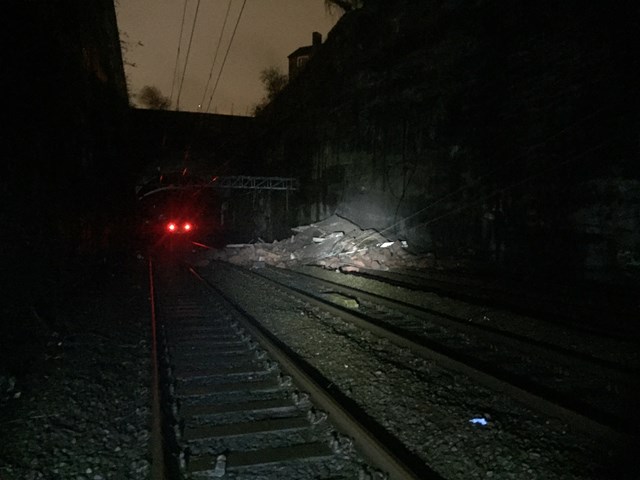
267	32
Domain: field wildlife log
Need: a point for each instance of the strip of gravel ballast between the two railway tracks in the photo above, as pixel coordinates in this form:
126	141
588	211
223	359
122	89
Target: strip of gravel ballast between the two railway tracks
430	409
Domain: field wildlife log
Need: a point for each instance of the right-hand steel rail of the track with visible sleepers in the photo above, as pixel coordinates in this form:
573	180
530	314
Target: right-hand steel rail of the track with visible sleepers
373	443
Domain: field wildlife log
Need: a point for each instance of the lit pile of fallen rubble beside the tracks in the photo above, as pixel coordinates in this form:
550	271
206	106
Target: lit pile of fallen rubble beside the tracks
334	243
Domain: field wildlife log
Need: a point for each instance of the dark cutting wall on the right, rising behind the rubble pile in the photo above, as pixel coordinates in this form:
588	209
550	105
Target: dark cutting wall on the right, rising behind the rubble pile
496	130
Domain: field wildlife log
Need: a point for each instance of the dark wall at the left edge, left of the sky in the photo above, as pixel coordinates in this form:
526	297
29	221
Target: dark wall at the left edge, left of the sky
62	174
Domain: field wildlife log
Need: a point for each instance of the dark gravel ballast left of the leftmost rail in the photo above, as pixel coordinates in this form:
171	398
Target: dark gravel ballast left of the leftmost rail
81	410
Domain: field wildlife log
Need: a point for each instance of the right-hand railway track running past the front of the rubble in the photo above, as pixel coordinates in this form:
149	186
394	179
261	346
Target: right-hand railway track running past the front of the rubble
593	394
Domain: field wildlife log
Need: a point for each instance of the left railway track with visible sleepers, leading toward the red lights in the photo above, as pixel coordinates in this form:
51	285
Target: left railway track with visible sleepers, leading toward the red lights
236	403
